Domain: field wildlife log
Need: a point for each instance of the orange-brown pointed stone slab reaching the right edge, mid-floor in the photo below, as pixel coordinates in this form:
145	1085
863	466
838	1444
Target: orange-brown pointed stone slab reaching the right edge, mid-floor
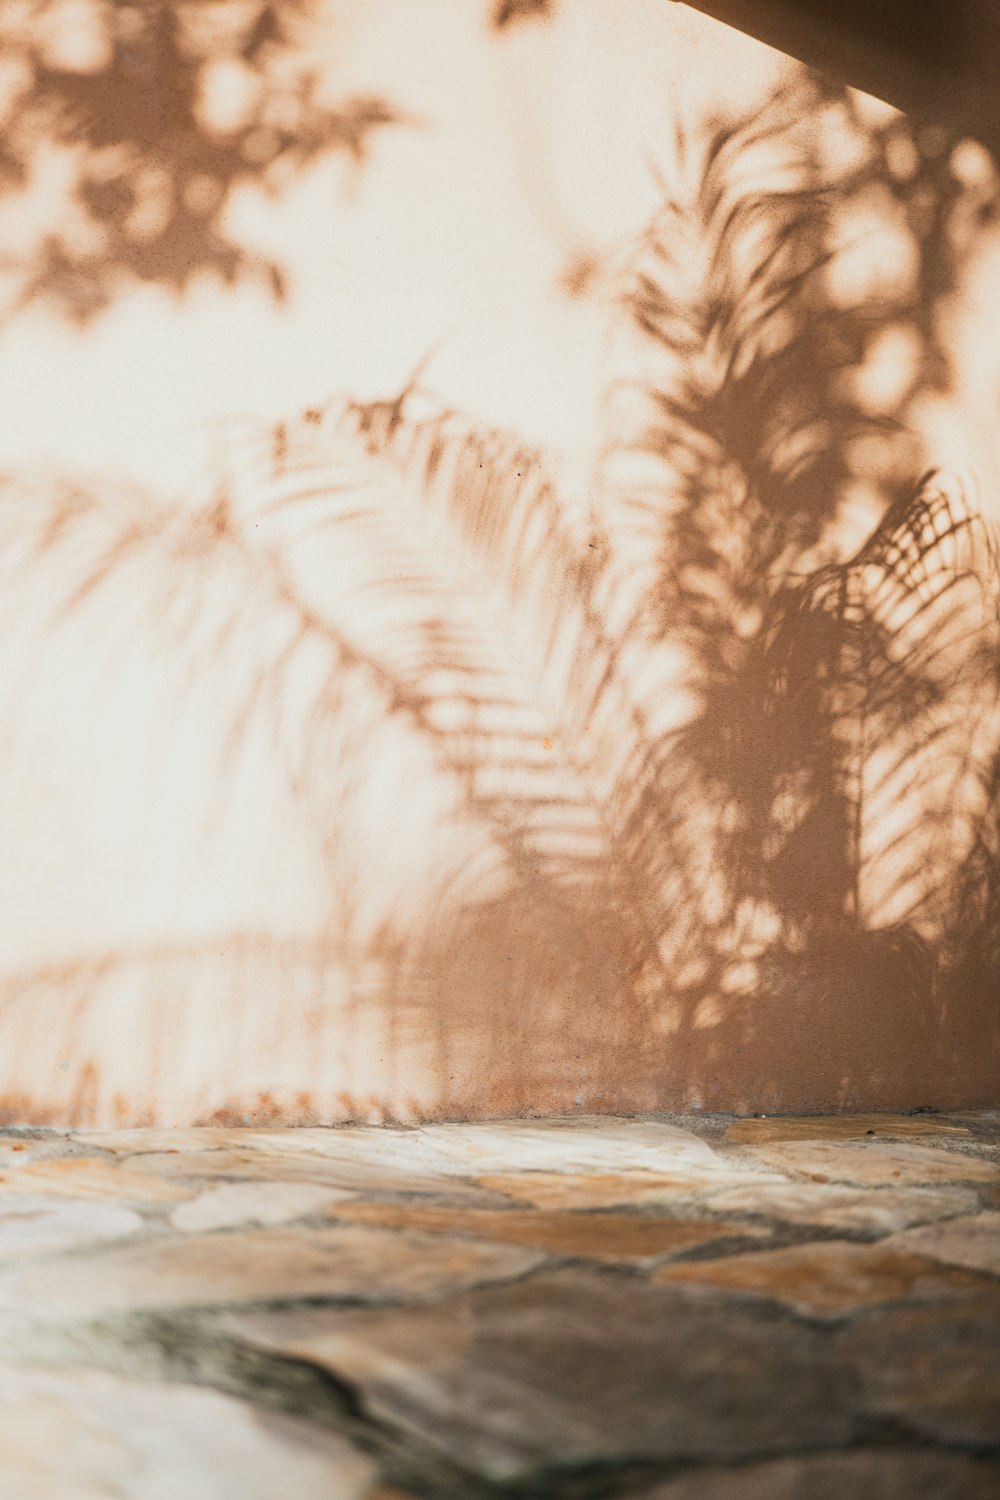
827	1277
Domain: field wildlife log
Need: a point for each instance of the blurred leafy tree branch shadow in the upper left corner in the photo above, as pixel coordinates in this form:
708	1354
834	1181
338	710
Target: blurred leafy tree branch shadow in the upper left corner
160	113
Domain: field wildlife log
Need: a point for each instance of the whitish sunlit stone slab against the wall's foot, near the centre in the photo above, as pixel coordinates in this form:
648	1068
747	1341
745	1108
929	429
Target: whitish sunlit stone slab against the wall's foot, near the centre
573	1147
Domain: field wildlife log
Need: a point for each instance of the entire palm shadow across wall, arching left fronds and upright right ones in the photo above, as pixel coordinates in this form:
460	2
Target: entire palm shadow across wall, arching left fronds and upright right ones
557	811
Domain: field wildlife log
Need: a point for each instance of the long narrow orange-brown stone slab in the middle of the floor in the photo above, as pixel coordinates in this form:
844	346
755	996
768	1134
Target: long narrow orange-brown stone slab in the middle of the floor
591	1237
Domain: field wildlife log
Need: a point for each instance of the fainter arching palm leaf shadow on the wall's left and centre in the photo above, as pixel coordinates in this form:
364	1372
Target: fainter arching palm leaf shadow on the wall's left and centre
374	601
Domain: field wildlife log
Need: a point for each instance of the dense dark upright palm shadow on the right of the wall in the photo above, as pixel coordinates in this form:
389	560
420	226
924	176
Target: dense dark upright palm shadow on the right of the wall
845	715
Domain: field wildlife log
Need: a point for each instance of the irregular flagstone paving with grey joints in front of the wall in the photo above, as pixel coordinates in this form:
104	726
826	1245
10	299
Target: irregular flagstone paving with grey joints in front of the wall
660	1310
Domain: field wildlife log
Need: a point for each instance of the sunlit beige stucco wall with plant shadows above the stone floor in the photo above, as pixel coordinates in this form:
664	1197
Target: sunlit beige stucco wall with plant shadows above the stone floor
347	799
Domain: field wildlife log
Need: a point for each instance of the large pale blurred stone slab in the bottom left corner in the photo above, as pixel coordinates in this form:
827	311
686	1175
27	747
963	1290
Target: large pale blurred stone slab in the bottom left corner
82	1435
